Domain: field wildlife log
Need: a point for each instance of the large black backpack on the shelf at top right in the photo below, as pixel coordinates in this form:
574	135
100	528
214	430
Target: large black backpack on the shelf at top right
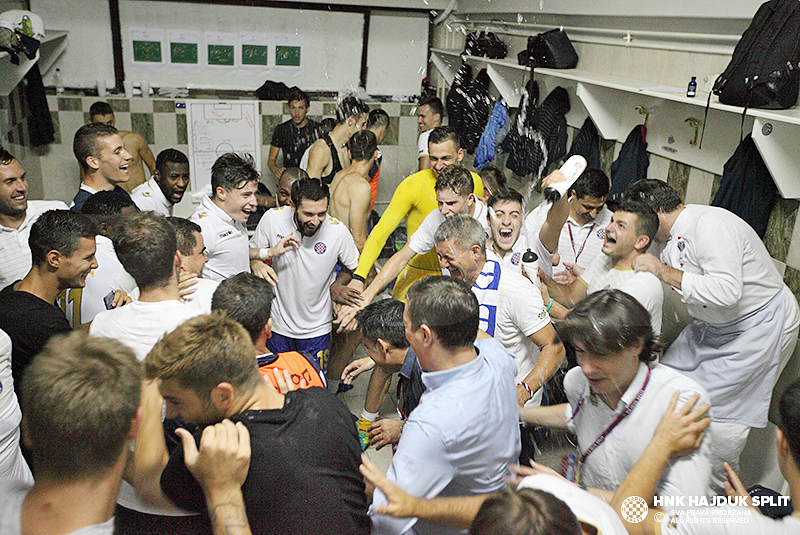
764	71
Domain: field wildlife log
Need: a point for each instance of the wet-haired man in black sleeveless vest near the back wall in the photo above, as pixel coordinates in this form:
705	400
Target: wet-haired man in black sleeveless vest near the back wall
328	154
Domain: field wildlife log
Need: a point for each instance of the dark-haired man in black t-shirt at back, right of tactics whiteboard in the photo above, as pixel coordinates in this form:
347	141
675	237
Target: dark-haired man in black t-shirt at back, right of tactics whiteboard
294	136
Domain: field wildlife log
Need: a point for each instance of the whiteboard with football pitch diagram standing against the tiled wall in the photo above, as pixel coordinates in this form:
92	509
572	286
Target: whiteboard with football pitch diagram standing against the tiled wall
218	127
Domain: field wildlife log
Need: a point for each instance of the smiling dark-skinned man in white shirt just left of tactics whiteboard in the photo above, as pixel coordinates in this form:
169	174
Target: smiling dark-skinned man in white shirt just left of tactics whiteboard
166	187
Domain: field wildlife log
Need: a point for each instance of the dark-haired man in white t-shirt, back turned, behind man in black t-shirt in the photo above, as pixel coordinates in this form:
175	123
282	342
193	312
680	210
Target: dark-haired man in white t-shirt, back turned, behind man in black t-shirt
146	246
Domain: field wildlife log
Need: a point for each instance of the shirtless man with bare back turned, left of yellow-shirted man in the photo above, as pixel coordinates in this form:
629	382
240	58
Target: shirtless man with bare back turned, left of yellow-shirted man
351	192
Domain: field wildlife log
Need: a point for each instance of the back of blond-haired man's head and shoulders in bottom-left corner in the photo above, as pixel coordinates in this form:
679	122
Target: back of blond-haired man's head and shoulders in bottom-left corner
81	397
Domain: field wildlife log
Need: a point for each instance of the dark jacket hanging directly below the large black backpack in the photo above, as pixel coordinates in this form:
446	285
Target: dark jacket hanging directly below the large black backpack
747	188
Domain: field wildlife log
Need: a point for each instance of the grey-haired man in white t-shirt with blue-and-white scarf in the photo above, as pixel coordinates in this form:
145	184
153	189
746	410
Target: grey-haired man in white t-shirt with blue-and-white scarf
511	307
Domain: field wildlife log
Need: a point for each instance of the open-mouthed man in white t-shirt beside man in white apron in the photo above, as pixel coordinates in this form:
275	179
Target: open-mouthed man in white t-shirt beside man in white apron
629	235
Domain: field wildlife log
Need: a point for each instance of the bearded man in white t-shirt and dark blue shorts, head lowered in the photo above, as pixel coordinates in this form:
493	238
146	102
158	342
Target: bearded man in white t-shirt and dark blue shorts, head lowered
305	245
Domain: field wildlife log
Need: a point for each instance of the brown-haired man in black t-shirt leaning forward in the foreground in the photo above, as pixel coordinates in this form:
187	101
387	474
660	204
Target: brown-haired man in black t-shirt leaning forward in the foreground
303	475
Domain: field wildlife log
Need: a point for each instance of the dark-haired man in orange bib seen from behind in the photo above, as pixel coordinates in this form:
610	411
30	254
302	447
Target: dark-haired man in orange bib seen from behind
248	300
